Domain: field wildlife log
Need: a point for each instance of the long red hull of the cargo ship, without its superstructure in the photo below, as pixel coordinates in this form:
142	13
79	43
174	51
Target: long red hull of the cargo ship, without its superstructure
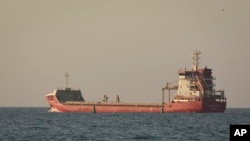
198	106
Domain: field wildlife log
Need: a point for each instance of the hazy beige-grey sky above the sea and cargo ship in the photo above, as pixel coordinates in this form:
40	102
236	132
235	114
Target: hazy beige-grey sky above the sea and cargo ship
125	47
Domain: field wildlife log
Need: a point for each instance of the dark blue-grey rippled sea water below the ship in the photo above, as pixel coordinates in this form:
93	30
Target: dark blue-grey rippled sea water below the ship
34	124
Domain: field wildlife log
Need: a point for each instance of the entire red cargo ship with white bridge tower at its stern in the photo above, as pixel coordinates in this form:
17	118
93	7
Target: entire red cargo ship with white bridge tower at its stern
194	92
